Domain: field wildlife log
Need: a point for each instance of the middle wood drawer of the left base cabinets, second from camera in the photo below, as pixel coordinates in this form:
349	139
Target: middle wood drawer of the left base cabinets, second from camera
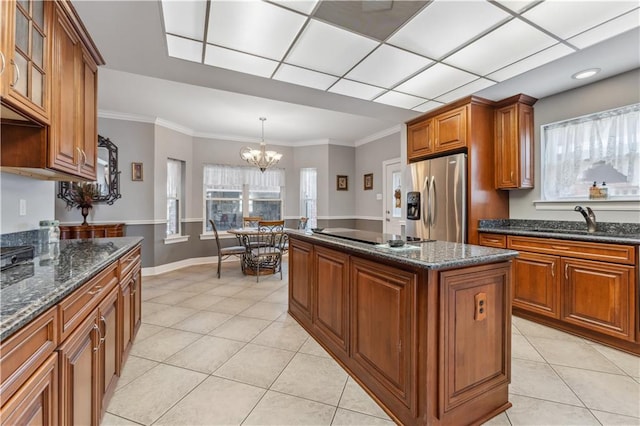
75	307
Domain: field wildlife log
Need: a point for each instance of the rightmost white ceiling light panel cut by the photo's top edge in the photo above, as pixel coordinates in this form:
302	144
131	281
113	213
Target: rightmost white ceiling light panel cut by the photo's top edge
568	18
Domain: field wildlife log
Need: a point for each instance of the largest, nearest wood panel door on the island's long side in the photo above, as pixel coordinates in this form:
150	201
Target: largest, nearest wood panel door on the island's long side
383	323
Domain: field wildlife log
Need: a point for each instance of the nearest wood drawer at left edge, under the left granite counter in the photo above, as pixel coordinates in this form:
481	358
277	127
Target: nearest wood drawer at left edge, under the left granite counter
24	352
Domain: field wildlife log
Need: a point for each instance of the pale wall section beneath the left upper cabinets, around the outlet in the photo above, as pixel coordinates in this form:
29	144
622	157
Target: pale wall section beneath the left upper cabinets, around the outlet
39	196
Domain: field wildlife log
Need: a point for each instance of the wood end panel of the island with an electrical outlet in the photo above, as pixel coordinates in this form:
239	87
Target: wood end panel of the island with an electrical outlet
475	340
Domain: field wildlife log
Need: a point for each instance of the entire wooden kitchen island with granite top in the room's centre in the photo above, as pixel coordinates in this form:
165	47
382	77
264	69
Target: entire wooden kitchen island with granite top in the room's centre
424	328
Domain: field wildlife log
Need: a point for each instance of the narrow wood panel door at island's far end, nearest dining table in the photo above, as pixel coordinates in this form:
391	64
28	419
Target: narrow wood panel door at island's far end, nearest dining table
300	280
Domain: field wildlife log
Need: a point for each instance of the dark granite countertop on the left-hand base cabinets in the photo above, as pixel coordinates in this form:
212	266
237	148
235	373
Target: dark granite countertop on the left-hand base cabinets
30	289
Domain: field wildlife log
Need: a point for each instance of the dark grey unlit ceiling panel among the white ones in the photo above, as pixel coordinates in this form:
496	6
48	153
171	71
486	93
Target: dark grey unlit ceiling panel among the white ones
376	19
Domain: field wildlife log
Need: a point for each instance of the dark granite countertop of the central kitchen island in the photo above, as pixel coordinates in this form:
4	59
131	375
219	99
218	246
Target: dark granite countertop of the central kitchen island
428	254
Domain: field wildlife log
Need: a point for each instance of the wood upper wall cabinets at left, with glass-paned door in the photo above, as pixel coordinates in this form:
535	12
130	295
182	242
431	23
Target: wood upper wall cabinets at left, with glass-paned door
62	144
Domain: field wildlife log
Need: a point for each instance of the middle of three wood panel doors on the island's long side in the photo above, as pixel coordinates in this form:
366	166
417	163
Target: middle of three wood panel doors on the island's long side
331	308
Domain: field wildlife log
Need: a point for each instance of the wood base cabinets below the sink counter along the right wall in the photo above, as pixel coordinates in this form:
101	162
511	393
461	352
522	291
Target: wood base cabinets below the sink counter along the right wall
585	288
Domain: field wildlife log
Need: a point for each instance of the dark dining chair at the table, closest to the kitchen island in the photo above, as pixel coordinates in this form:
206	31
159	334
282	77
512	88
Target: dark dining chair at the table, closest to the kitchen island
264	247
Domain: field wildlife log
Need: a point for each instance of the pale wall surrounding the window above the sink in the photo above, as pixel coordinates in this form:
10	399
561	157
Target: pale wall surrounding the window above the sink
613	92
